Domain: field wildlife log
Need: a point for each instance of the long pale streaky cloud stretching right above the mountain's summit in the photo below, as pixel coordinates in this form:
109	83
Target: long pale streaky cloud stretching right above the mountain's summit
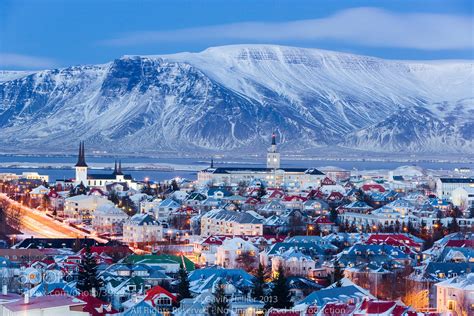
362	26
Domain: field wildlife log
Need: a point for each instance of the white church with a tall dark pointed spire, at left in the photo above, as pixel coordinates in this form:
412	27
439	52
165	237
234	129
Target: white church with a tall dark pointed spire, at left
98	180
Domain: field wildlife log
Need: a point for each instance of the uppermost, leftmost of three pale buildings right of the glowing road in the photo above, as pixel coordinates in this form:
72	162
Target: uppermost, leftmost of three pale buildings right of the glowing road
81	207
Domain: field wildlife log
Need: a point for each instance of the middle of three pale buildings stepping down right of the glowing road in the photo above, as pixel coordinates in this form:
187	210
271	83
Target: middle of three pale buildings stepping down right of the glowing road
108	219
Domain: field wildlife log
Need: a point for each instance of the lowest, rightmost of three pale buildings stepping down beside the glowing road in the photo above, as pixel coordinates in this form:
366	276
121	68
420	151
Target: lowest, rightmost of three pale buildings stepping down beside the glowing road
142	228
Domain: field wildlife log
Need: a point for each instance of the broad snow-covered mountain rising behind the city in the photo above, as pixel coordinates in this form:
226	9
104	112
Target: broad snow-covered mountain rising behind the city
232	97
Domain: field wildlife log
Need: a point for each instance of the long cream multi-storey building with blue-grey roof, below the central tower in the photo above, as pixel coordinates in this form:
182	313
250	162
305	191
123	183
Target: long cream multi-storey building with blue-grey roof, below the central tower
224	222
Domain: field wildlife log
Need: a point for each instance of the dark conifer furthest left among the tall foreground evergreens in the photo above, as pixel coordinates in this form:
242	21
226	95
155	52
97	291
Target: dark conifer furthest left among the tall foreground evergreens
87	279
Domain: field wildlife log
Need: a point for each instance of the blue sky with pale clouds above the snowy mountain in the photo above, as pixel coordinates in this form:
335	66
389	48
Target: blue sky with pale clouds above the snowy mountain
40	34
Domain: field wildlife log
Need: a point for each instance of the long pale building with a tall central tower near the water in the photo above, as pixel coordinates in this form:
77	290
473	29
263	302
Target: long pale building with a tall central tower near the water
273	175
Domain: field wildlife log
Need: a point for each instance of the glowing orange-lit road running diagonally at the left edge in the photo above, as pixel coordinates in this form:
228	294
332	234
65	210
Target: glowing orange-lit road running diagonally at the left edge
37	224
